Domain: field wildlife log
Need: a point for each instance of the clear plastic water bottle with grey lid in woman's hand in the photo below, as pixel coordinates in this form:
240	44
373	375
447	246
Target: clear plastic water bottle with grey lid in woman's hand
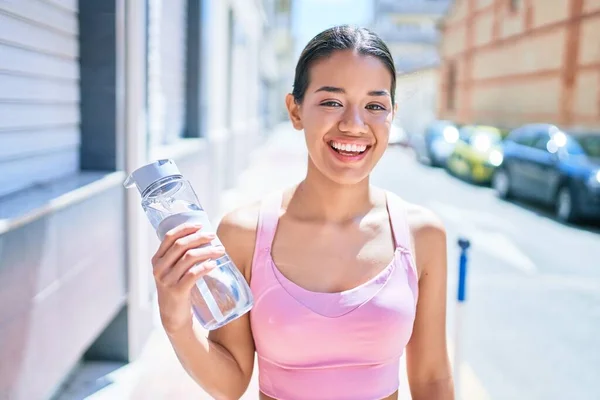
168	201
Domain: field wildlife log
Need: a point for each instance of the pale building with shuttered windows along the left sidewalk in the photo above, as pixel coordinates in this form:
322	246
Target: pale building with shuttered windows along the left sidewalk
89	91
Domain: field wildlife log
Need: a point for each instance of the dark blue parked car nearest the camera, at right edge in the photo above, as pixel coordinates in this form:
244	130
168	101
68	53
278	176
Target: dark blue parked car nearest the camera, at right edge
558	168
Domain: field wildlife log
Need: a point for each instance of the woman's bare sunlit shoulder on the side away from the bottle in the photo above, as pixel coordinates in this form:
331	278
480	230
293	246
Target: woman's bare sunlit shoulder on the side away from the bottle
428	235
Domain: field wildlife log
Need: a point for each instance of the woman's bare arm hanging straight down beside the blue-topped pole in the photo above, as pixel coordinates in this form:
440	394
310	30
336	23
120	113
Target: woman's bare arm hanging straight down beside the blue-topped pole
428	366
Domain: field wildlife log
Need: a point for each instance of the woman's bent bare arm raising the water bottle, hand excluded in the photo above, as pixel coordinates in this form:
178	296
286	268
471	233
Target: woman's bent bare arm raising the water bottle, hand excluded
222	361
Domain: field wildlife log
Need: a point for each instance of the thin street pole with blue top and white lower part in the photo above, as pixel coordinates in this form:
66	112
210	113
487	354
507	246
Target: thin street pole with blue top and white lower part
464	245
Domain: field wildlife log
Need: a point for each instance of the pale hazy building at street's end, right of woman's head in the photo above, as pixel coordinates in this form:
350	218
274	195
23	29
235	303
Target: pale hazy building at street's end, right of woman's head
410	30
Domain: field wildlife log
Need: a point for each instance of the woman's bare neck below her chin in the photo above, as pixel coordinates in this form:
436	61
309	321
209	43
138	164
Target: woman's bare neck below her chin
318	198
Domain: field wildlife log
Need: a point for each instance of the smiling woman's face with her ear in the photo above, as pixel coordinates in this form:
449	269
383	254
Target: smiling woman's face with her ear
346	115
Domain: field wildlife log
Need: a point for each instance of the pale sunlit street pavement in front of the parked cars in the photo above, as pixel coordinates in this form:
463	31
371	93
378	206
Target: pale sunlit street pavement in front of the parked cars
533	285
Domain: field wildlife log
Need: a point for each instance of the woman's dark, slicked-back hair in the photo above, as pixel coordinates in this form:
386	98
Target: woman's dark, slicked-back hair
338	38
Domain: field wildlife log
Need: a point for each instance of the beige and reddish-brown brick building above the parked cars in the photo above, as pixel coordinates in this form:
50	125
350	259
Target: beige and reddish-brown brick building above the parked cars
511	62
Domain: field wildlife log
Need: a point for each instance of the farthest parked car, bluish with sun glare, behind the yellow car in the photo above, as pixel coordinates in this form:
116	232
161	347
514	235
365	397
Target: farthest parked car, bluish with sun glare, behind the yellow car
435	144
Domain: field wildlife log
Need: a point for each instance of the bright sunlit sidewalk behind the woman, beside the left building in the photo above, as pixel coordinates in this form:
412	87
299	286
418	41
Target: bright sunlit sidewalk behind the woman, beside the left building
157	375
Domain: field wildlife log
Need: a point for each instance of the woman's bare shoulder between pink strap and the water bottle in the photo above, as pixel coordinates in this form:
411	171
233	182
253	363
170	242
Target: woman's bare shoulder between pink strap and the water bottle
237	232
